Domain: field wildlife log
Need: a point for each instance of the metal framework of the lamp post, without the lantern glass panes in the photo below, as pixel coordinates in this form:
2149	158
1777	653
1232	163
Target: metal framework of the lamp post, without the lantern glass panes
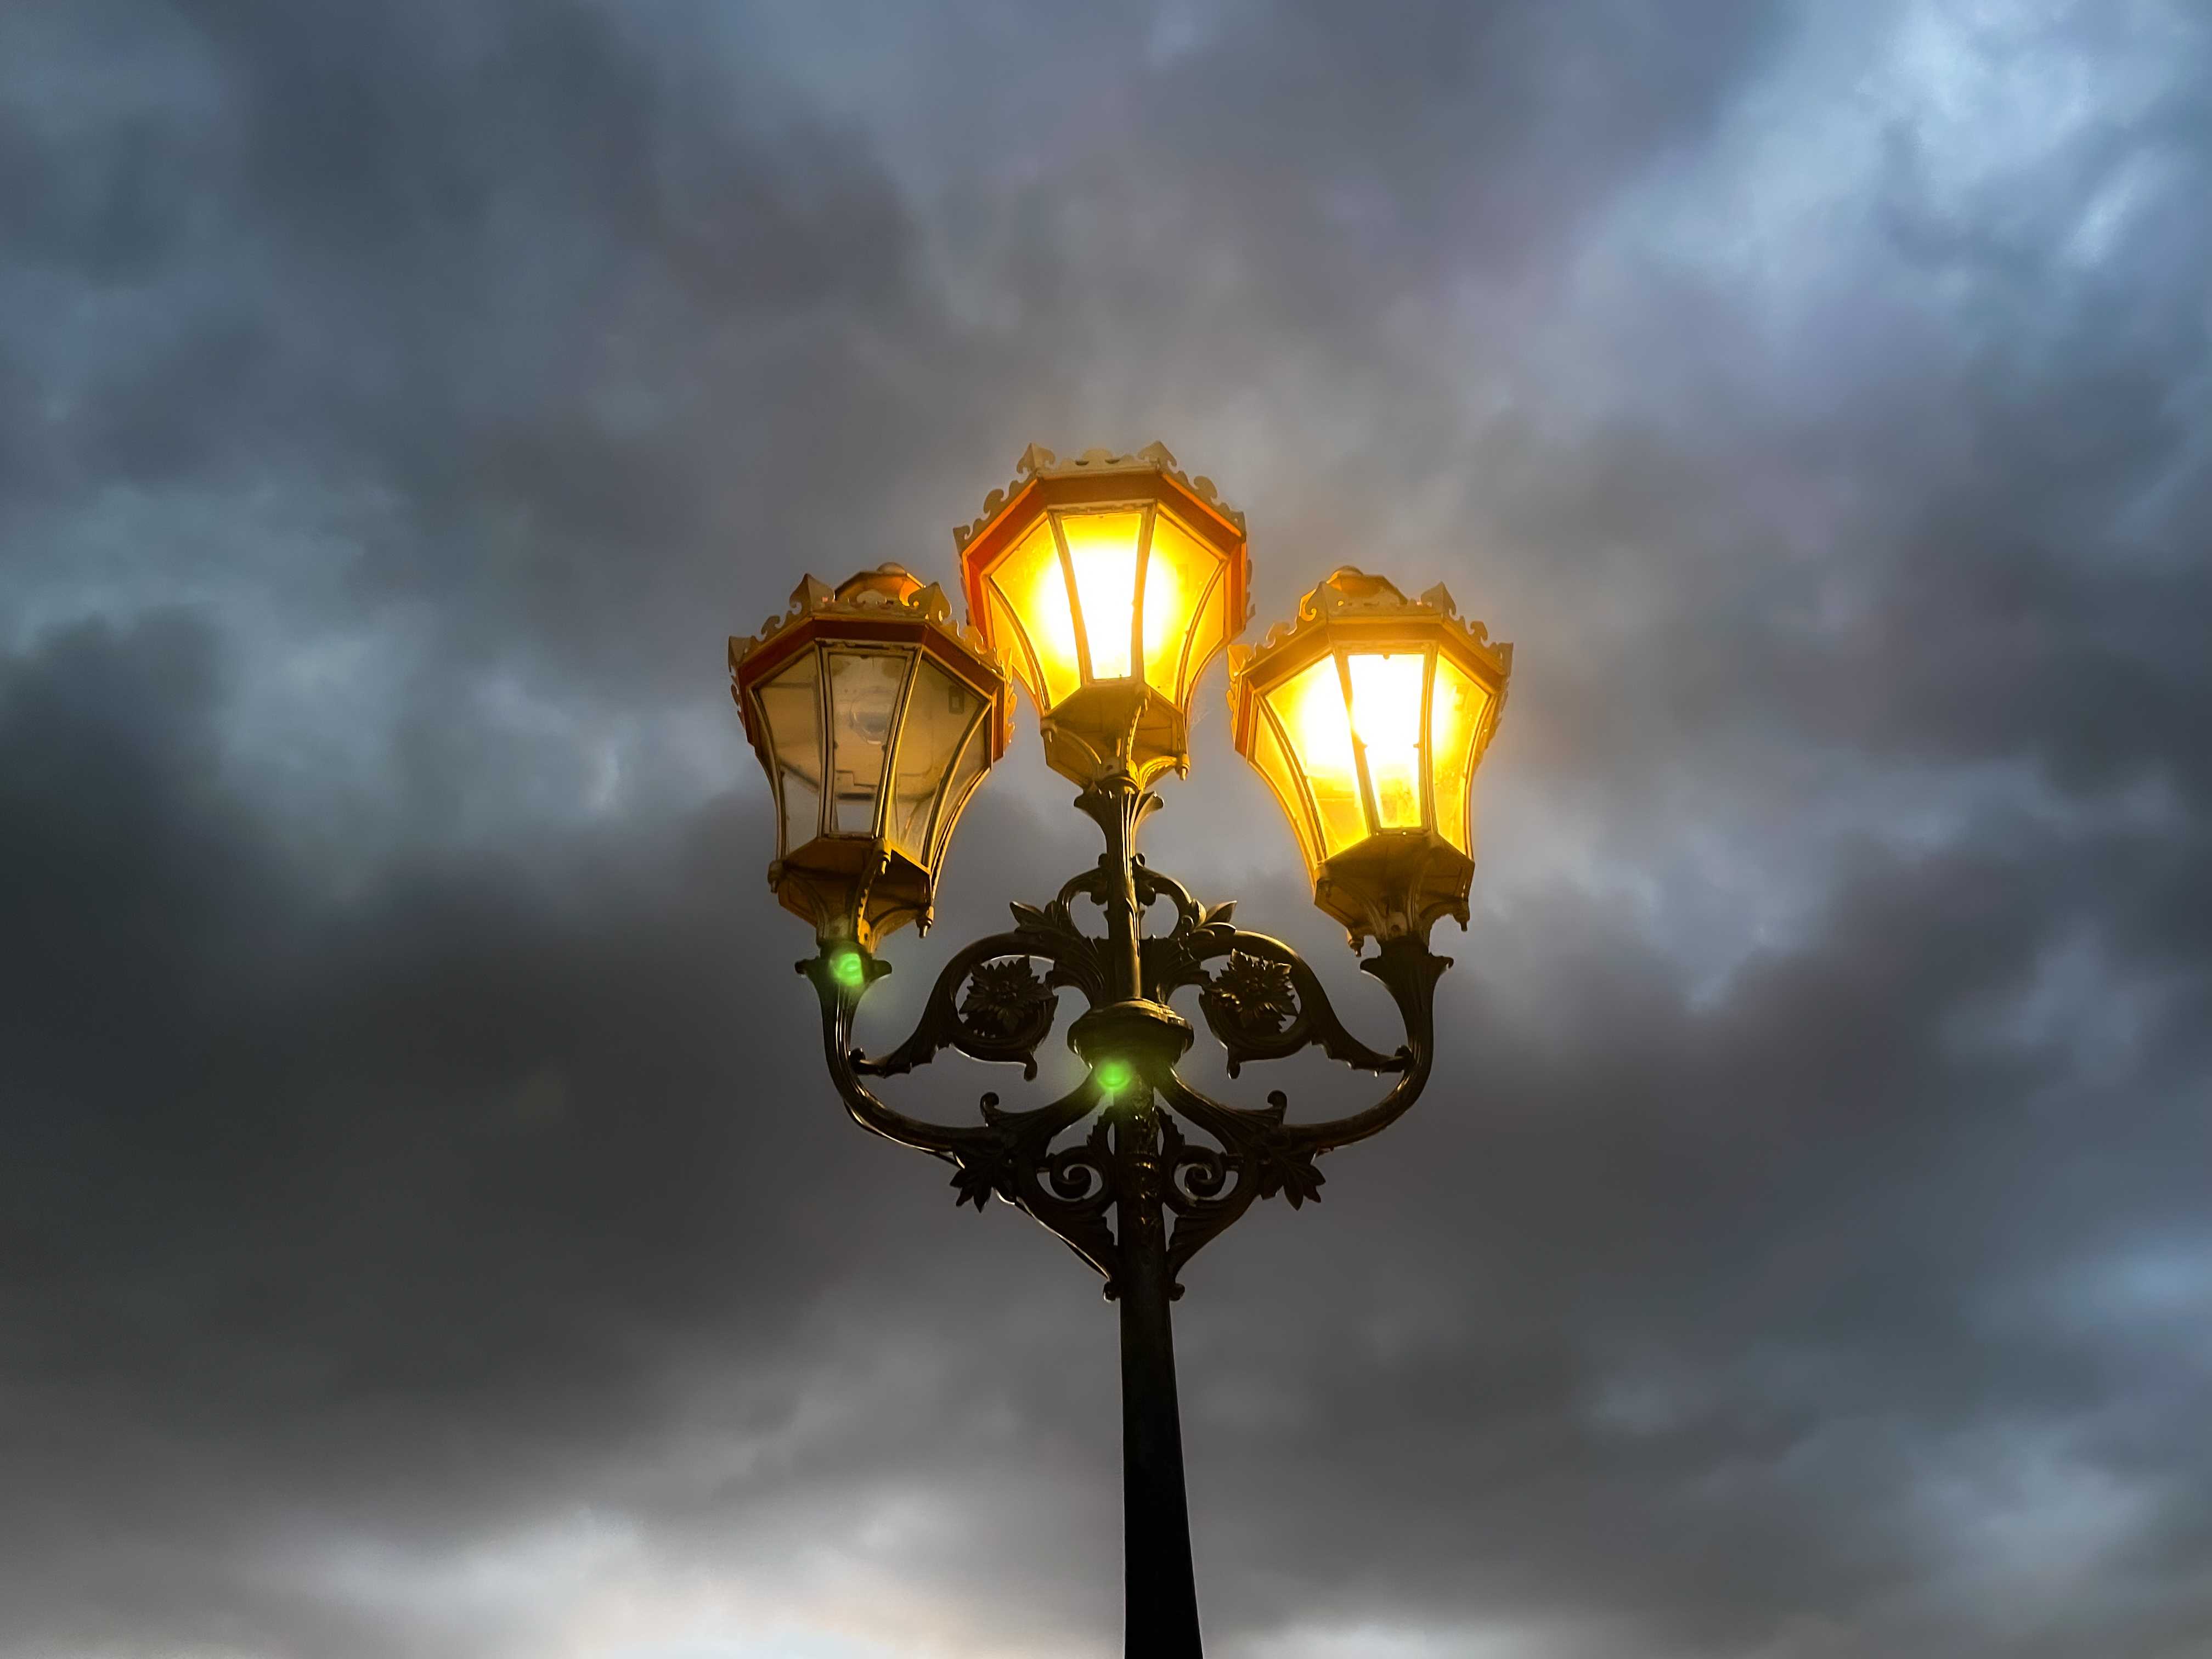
1136	1169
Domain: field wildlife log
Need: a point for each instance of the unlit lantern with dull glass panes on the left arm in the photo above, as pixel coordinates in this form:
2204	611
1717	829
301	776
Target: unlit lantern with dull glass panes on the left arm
875	720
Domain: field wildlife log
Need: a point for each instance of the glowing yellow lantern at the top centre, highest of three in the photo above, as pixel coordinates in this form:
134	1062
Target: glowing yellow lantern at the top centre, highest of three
1109	583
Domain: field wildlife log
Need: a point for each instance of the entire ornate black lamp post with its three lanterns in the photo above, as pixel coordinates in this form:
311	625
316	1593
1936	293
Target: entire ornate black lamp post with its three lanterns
1109	585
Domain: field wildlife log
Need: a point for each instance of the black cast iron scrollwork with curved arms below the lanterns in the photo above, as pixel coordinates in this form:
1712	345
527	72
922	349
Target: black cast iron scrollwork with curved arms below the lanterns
1156	1142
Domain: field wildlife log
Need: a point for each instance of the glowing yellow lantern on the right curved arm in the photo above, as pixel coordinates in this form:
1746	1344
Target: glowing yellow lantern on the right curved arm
1368	718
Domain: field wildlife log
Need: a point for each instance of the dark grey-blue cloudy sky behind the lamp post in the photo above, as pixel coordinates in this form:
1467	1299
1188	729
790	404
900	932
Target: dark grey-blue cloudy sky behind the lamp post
426	1231
